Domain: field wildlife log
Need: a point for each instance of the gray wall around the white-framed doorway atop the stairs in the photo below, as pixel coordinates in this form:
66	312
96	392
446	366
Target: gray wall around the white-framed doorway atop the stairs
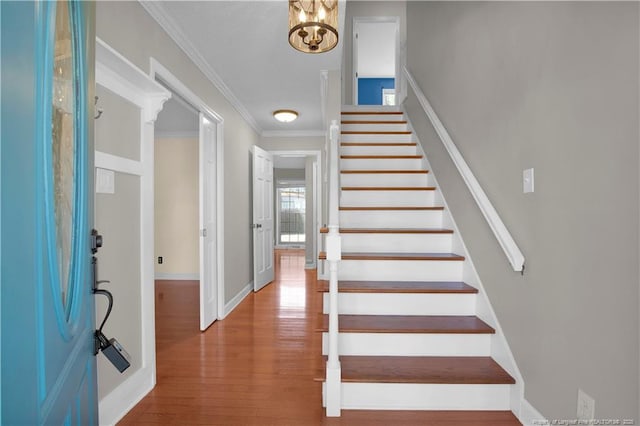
361	9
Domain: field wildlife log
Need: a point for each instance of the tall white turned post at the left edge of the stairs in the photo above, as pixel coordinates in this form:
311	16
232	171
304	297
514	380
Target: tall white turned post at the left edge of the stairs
334	254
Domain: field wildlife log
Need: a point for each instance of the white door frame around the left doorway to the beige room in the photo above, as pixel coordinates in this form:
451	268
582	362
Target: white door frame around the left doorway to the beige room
158	70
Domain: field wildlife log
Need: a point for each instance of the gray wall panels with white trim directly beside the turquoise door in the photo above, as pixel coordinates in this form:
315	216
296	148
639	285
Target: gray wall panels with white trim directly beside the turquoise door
117	218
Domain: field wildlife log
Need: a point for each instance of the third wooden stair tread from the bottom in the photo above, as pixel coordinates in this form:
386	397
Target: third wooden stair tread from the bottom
399	287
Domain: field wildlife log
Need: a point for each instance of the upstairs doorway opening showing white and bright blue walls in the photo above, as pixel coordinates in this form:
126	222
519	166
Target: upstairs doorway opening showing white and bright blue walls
375	60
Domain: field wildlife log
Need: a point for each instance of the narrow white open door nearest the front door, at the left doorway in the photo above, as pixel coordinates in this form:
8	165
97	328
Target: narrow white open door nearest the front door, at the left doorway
208	238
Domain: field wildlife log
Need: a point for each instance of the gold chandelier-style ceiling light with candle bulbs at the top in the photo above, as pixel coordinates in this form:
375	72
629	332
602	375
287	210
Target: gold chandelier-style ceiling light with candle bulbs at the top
313	25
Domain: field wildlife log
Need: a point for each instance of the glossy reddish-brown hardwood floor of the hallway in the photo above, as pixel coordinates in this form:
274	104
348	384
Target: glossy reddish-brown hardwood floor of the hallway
257	366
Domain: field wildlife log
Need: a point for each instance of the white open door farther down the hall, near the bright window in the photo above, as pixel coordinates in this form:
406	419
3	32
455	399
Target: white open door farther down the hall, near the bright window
263	268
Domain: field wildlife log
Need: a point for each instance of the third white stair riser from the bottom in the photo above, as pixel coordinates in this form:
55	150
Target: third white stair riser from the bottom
403	304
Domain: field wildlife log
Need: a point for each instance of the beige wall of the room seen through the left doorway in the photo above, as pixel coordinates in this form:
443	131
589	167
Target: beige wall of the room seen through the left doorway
176	208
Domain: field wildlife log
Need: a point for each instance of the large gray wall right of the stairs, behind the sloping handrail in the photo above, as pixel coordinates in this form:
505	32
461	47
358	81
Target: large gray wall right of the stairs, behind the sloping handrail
552	86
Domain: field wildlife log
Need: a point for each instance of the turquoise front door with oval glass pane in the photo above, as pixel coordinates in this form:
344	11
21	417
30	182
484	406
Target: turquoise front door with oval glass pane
48	367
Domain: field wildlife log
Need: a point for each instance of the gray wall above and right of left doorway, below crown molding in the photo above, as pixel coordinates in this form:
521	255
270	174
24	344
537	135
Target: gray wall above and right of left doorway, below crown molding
118	23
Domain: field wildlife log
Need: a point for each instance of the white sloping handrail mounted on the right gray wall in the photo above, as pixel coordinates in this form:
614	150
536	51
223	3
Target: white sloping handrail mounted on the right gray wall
509	246
